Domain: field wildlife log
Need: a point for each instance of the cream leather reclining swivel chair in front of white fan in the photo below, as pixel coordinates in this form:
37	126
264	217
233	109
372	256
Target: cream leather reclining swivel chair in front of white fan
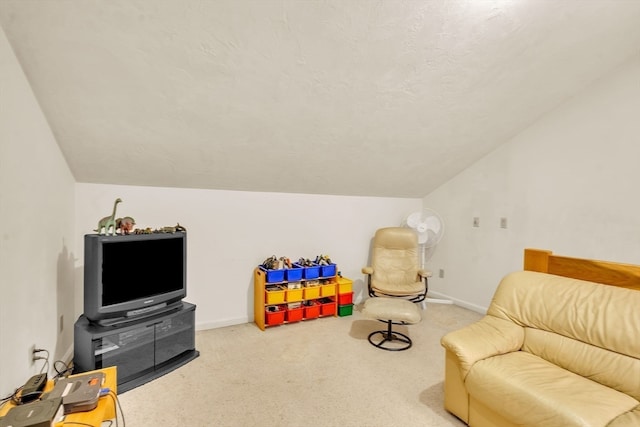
395	270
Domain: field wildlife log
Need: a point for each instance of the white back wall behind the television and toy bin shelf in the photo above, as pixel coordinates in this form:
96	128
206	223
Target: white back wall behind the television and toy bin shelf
229	233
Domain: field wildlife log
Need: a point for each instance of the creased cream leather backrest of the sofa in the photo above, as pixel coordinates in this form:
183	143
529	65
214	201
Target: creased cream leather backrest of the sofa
588	328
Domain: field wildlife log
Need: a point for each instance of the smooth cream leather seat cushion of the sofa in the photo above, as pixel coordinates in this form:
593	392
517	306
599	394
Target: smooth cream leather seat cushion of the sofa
531	391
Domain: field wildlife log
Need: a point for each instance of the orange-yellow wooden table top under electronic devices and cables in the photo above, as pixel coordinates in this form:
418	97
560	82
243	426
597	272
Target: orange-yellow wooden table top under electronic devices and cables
105	410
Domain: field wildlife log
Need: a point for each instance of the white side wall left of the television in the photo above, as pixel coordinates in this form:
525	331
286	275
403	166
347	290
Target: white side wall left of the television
36	232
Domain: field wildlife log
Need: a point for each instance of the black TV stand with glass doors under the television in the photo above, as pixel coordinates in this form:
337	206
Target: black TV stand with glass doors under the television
143	348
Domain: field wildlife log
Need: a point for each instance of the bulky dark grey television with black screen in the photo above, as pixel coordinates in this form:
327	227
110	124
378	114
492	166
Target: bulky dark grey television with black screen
128	276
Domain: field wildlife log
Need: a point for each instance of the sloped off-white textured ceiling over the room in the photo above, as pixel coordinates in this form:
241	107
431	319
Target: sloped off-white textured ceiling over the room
354	97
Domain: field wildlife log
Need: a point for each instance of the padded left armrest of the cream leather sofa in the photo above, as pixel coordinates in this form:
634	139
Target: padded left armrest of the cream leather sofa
490	336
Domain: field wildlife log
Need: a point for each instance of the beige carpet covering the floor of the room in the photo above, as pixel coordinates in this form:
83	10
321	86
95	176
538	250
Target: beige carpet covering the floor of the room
321	372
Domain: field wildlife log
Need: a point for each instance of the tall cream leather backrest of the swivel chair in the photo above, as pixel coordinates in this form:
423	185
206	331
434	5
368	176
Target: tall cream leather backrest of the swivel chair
394	257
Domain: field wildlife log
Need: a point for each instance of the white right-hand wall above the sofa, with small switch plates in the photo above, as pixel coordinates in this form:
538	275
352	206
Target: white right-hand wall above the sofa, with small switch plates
569	184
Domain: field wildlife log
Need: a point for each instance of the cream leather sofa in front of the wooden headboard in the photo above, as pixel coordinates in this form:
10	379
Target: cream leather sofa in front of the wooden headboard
551	351
